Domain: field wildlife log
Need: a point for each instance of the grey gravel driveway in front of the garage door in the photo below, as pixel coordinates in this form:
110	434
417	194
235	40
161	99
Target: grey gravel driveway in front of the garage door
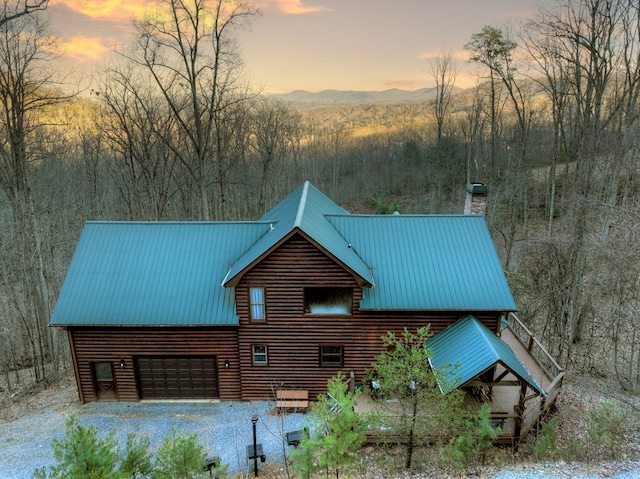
223	428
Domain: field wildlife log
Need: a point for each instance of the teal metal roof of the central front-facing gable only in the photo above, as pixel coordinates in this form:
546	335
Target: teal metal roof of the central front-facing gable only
306	210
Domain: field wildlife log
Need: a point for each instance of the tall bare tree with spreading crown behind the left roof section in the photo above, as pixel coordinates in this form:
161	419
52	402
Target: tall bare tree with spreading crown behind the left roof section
187	49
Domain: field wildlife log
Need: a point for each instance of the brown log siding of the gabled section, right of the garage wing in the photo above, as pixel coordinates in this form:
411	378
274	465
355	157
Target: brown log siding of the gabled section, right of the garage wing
293	338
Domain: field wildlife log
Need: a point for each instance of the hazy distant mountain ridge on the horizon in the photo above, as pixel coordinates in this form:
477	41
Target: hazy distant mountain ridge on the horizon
336	97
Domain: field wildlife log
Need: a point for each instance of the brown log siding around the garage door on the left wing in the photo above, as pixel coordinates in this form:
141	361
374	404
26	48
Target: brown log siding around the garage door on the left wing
114	344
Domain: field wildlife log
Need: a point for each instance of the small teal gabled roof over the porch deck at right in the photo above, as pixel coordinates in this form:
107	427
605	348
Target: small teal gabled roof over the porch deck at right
473	349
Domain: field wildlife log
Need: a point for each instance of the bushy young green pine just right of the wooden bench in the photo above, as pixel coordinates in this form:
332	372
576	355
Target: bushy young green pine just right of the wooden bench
335	434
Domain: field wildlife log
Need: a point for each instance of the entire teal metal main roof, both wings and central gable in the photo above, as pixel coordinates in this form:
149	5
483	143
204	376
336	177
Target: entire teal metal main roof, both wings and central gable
171	273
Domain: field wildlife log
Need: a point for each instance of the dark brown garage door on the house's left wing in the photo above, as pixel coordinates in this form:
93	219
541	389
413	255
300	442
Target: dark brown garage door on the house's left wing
177	377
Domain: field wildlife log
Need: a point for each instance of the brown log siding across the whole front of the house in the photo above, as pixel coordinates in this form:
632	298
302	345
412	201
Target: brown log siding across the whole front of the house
293	338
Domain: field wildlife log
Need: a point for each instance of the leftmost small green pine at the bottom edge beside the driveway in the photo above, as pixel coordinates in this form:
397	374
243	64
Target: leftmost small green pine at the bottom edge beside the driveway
81	455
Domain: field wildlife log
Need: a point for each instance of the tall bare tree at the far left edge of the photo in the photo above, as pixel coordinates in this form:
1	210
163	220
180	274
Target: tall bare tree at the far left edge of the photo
26	88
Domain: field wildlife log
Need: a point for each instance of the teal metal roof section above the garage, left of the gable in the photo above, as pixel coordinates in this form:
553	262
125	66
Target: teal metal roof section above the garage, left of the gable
153	274
